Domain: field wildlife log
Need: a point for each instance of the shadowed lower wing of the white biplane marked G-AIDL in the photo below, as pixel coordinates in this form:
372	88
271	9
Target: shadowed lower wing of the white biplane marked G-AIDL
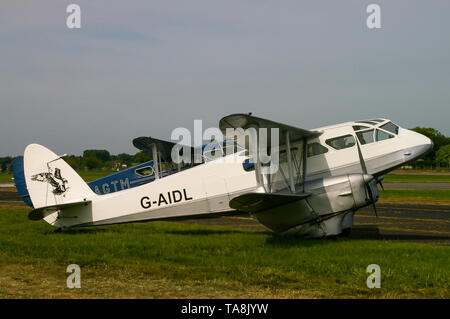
255	202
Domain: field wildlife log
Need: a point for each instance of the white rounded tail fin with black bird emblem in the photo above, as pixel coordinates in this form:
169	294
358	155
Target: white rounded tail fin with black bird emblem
50	180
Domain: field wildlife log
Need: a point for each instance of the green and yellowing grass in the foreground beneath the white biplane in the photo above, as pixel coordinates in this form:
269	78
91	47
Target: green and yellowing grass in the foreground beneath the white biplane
162	259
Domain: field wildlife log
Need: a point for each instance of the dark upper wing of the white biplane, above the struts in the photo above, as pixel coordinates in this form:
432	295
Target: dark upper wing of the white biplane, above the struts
246	120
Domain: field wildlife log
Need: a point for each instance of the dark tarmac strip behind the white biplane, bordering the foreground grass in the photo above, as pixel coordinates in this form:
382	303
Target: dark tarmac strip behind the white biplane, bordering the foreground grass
419	223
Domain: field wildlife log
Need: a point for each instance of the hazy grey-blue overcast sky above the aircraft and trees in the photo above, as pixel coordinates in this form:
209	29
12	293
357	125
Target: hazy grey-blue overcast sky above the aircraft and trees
143	68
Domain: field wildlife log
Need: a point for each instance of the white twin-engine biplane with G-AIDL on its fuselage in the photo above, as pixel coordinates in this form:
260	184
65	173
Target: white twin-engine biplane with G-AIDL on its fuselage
324	176
